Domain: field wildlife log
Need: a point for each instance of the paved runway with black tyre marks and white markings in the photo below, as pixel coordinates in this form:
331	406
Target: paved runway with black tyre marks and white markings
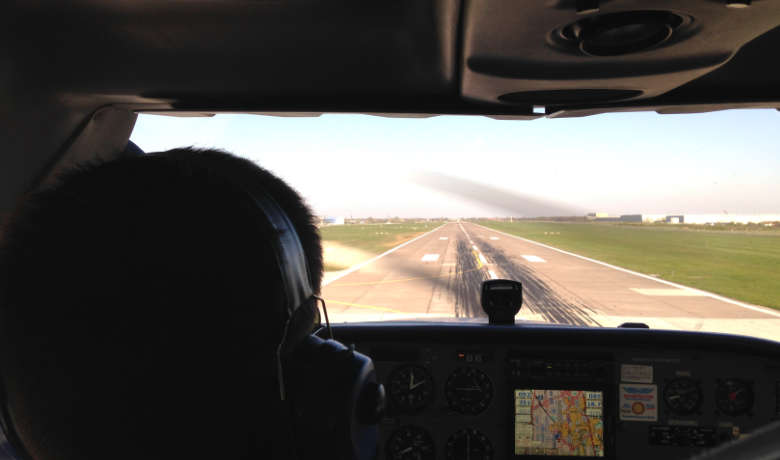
438	275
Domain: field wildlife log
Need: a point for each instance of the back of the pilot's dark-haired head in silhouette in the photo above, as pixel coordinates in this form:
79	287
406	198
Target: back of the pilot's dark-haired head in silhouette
140	305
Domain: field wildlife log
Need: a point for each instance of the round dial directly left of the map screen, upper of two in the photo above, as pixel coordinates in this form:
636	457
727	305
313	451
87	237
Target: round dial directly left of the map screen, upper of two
469	390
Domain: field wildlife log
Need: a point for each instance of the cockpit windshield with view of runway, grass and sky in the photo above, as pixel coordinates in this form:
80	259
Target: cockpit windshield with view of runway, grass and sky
672	221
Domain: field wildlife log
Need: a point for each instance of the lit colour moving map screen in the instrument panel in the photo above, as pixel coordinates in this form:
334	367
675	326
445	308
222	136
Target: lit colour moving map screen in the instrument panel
559	422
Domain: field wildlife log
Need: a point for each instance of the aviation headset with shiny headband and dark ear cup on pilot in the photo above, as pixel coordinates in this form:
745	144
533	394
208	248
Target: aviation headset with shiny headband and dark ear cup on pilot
328	392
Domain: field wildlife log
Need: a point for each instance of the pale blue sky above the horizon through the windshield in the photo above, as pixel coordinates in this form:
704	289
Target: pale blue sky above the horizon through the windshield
364	165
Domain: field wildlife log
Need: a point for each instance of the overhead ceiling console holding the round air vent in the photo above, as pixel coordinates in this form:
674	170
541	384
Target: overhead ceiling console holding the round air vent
587	52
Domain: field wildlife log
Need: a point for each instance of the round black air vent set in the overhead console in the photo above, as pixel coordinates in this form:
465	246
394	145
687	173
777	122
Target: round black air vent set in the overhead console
626	32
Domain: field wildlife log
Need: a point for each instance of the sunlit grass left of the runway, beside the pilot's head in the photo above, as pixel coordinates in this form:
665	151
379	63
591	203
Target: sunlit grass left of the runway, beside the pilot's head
369	239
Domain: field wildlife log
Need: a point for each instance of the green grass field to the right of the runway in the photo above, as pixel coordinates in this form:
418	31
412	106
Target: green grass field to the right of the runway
740	265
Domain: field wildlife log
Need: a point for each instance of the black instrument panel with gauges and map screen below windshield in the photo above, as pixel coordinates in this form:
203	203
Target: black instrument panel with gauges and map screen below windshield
475	391
